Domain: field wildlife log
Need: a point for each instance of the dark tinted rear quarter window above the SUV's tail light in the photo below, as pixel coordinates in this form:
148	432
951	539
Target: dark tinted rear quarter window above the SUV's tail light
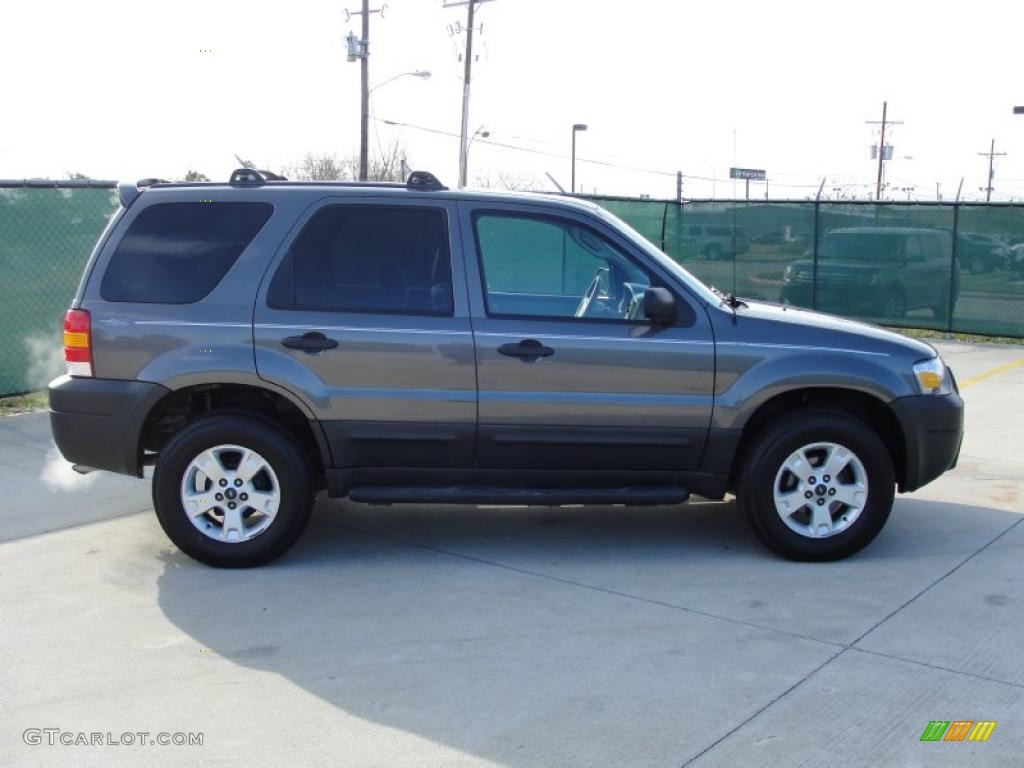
177	253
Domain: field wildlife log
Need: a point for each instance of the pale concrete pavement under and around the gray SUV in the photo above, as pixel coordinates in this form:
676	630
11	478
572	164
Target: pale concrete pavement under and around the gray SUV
528	637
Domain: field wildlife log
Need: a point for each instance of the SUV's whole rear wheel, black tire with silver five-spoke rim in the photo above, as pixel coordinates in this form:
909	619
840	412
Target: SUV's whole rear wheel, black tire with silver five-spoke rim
233	491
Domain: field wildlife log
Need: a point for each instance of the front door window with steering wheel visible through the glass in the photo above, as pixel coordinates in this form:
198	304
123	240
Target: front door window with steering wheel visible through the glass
548	268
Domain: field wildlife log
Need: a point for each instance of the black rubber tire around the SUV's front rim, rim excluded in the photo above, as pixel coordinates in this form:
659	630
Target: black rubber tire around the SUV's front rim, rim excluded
763	459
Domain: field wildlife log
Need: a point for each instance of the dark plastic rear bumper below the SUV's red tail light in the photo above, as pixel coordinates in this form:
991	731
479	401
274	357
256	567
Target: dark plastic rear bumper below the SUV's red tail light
98	422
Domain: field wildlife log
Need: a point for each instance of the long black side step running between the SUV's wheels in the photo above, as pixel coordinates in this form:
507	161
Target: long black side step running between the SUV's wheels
633	497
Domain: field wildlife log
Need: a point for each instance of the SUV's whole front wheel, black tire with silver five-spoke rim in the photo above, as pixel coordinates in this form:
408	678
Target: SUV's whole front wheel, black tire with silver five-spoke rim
819	486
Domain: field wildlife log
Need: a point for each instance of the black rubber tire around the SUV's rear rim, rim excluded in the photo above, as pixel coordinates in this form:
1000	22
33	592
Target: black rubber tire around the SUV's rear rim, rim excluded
281	453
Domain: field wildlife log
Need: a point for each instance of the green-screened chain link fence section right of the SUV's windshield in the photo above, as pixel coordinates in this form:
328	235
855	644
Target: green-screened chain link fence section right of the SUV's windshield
956	268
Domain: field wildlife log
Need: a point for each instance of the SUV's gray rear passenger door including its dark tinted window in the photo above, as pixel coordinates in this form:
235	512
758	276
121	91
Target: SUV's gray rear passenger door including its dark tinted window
363	316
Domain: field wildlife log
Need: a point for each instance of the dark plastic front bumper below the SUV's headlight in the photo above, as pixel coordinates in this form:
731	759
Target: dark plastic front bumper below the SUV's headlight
933	431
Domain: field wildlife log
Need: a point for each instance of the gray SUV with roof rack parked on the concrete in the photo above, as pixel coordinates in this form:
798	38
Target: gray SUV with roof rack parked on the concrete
262	340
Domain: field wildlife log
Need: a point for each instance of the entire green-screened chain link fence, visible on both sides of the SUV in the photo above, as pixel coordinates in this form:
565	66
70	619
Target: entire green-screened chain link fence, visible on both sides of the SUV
946	268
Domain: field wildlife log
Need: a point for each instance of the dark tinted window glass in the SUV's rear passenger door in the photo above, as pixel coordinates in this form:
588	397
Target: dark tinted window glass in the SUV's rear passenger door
368	260
